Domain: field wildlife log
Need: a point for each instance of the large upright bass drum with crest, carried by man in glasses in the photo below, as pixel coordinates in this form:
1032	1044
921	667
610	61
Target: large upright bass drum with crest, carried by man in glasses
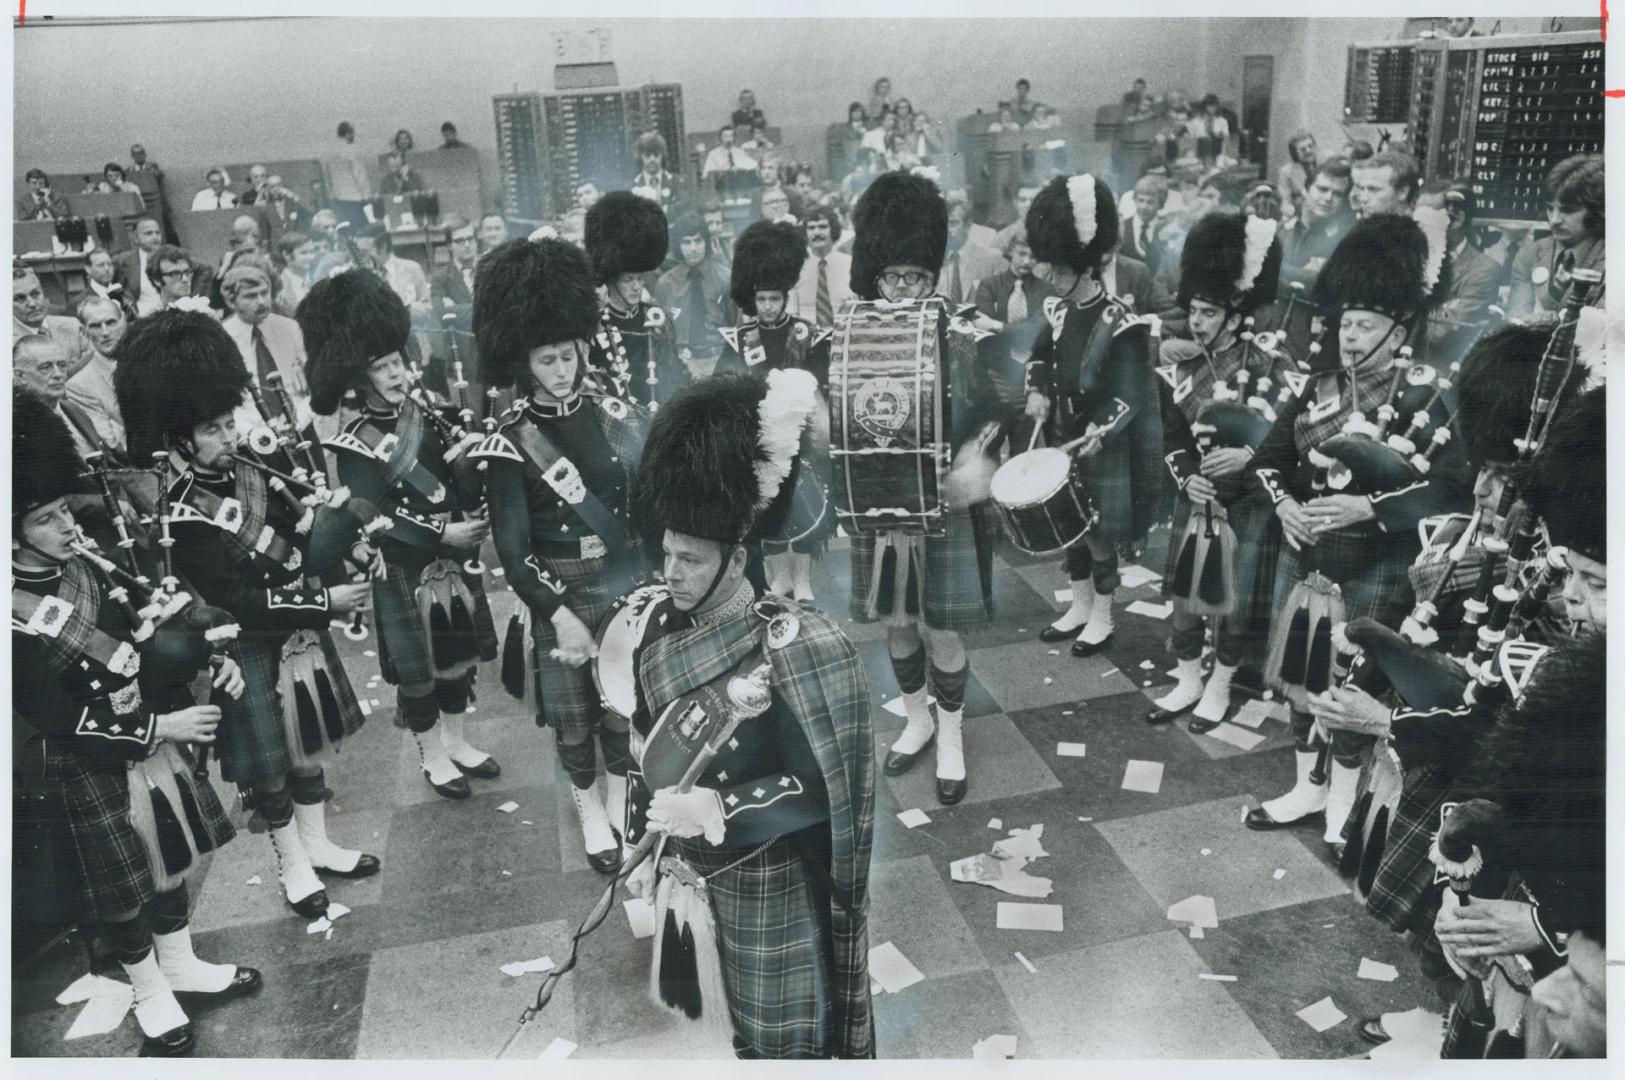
888	441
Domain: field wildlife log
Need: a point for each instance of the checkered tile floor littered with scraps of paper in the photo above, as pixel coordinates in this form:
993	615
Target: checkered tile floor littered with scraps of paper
466	889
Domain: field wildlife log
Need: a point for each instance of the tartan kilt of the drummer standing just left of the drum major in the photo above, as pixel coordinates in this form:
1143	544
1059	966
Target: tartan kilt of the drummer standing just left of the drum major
566	698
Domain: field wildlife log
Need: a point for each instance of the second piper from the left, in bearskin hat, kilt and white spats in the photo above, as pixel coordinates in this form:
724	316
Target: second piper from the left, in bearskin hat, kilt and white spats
180	382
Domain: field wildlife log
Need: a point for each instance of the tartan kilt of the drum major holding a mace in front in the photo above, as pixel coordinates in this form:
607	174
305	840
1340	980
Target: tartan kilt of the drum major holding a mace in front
774	946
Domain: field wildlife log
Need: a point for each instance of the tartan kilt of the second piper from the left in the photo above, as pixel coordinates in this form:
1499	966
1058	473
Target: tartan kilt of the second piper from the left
254	738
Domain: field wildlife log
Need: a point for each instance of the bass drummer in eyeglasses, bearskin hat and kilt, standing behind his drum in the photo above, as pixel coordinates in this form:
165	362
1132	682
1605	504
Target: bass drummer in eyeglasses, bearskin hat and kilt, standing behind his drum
925	585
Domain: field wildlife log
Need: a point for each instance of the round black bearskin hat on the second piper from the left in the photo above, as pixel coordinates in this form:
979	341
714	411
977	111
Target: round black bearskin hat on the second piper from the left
175	371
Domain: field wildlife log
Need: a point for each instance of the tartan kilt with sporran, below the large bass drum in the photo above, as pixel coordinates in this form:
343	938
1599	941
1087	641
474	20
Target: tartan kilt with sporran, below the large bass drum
940	574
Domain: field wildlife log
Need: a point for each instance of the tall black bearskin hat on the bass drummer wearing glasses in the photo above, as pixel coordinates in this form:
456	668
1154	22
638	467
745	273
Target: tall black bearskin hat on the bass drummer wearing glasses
899	222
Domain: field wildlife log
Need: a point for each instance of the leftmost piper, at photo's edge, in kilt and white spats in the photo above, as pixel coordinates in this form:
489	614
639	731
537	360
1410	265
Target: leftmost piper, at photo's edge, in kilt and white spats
98	743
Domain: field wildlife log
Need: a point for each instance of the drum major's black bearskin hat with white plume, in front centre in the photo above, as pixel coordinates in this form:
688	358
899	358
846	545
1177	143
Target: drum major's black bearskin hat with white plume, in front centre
719	457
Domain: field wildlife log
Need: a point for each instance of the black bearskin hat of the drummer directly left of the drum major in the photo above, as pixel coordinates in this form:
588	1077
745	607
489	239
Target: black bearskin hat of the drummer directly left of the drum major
529	295
